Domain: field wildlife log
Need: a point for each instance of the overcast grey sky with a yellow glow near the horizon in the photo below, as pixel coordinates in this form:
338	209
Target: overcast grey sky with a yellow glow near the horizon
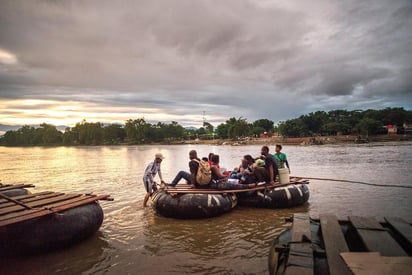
175	60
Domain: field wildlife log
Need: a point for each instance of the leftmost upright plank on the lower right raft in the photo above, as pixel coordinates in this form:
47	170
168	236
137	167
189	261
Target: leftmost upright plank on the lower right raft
300	259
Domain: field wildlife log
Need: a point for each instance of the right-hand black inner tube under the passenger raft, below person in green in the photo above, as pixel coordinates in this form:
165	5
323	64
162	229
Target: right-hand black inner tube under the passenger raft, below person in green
279	197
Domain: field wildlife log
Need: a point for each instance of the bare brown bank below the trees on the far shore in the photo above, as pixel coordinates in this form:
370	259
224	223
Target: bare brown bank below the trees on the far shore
319	140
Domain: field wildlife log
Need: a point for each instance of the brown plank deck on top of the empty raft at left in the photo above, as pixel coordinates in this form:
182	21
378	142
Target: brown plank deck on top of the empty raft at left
24	207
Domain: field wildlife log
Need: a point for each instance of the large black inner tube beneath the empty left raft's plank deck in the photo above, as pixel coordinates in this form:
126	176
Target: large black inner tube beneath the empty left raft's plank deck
51	231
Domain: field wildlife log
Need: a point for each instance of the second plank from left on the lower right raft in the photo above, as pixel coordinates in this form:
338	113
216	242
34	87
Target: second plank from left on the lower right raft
334	244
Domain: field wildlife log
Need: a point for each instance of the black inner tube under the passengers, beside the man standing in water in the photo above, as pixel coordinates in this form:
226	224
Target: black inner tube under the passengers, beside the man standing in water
192	206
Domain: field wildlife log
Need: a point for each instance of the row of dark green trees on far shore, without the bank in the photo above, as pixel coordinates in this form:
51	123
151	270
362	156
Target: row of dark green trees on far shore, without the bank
138	131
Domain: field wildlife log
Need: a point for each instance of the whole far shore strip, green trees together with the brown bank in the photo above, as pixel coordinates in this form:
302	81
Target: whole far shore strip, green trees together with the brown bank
337	126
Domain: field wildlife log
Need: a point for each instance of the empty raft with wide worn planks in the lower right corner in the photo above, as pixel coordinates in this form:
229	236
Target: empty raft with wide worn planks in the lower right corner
356	245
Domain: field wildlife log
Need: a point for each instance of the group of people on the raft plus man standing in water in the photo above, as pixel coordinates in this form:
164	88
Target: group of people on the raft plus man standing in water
250	172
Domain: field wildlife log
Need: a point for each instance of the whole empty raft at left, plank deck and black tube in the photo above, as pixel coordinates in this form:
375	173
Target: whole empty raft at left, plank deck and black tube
47	220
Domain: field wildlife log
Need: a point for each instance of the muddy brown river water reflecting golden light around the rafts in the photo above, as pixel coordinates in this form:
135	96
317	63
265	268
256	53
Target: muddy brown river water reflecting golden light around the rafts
134	240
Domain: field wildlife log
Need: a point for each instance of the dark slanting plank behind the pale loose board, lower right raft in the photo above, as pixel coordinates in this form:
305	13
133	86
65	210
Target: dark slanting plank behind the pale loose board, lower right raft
375	237
